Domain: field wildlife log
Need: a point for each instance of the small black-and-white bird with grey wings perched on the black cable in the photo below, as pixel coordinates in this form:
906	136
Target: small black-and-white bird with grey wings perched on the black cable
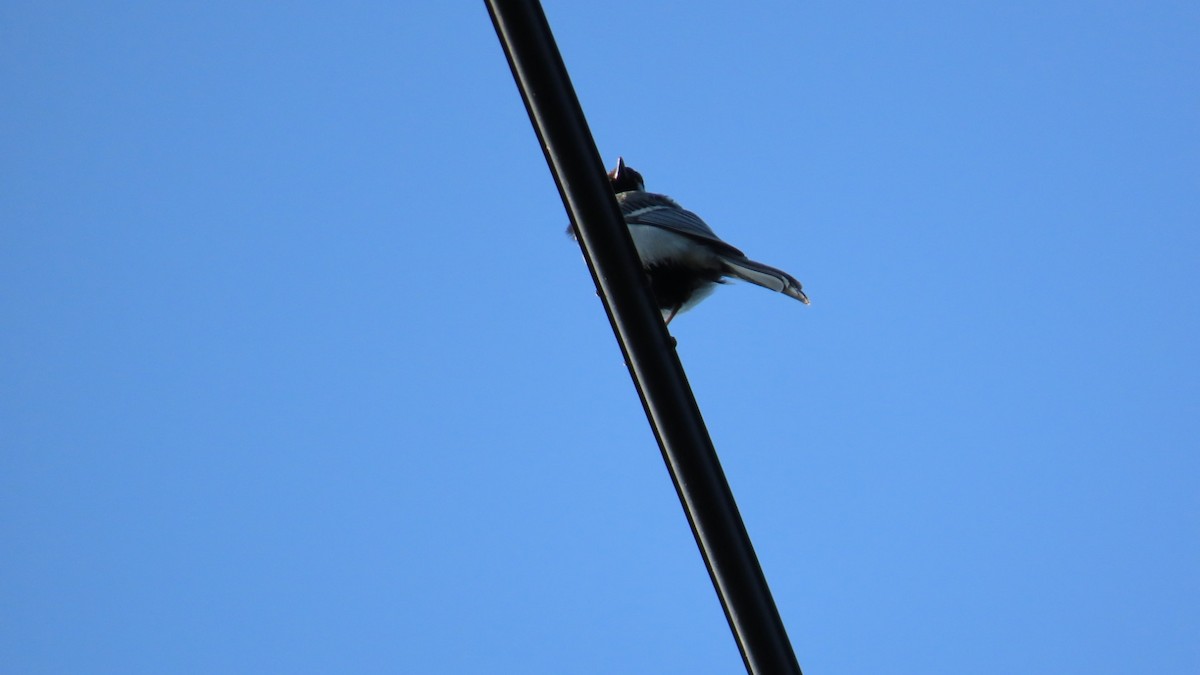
683	259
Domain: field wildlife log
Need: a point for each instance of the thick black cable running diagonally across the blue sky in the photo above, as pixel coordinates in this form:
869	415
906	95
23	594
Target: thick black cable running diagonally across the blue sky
650	353
